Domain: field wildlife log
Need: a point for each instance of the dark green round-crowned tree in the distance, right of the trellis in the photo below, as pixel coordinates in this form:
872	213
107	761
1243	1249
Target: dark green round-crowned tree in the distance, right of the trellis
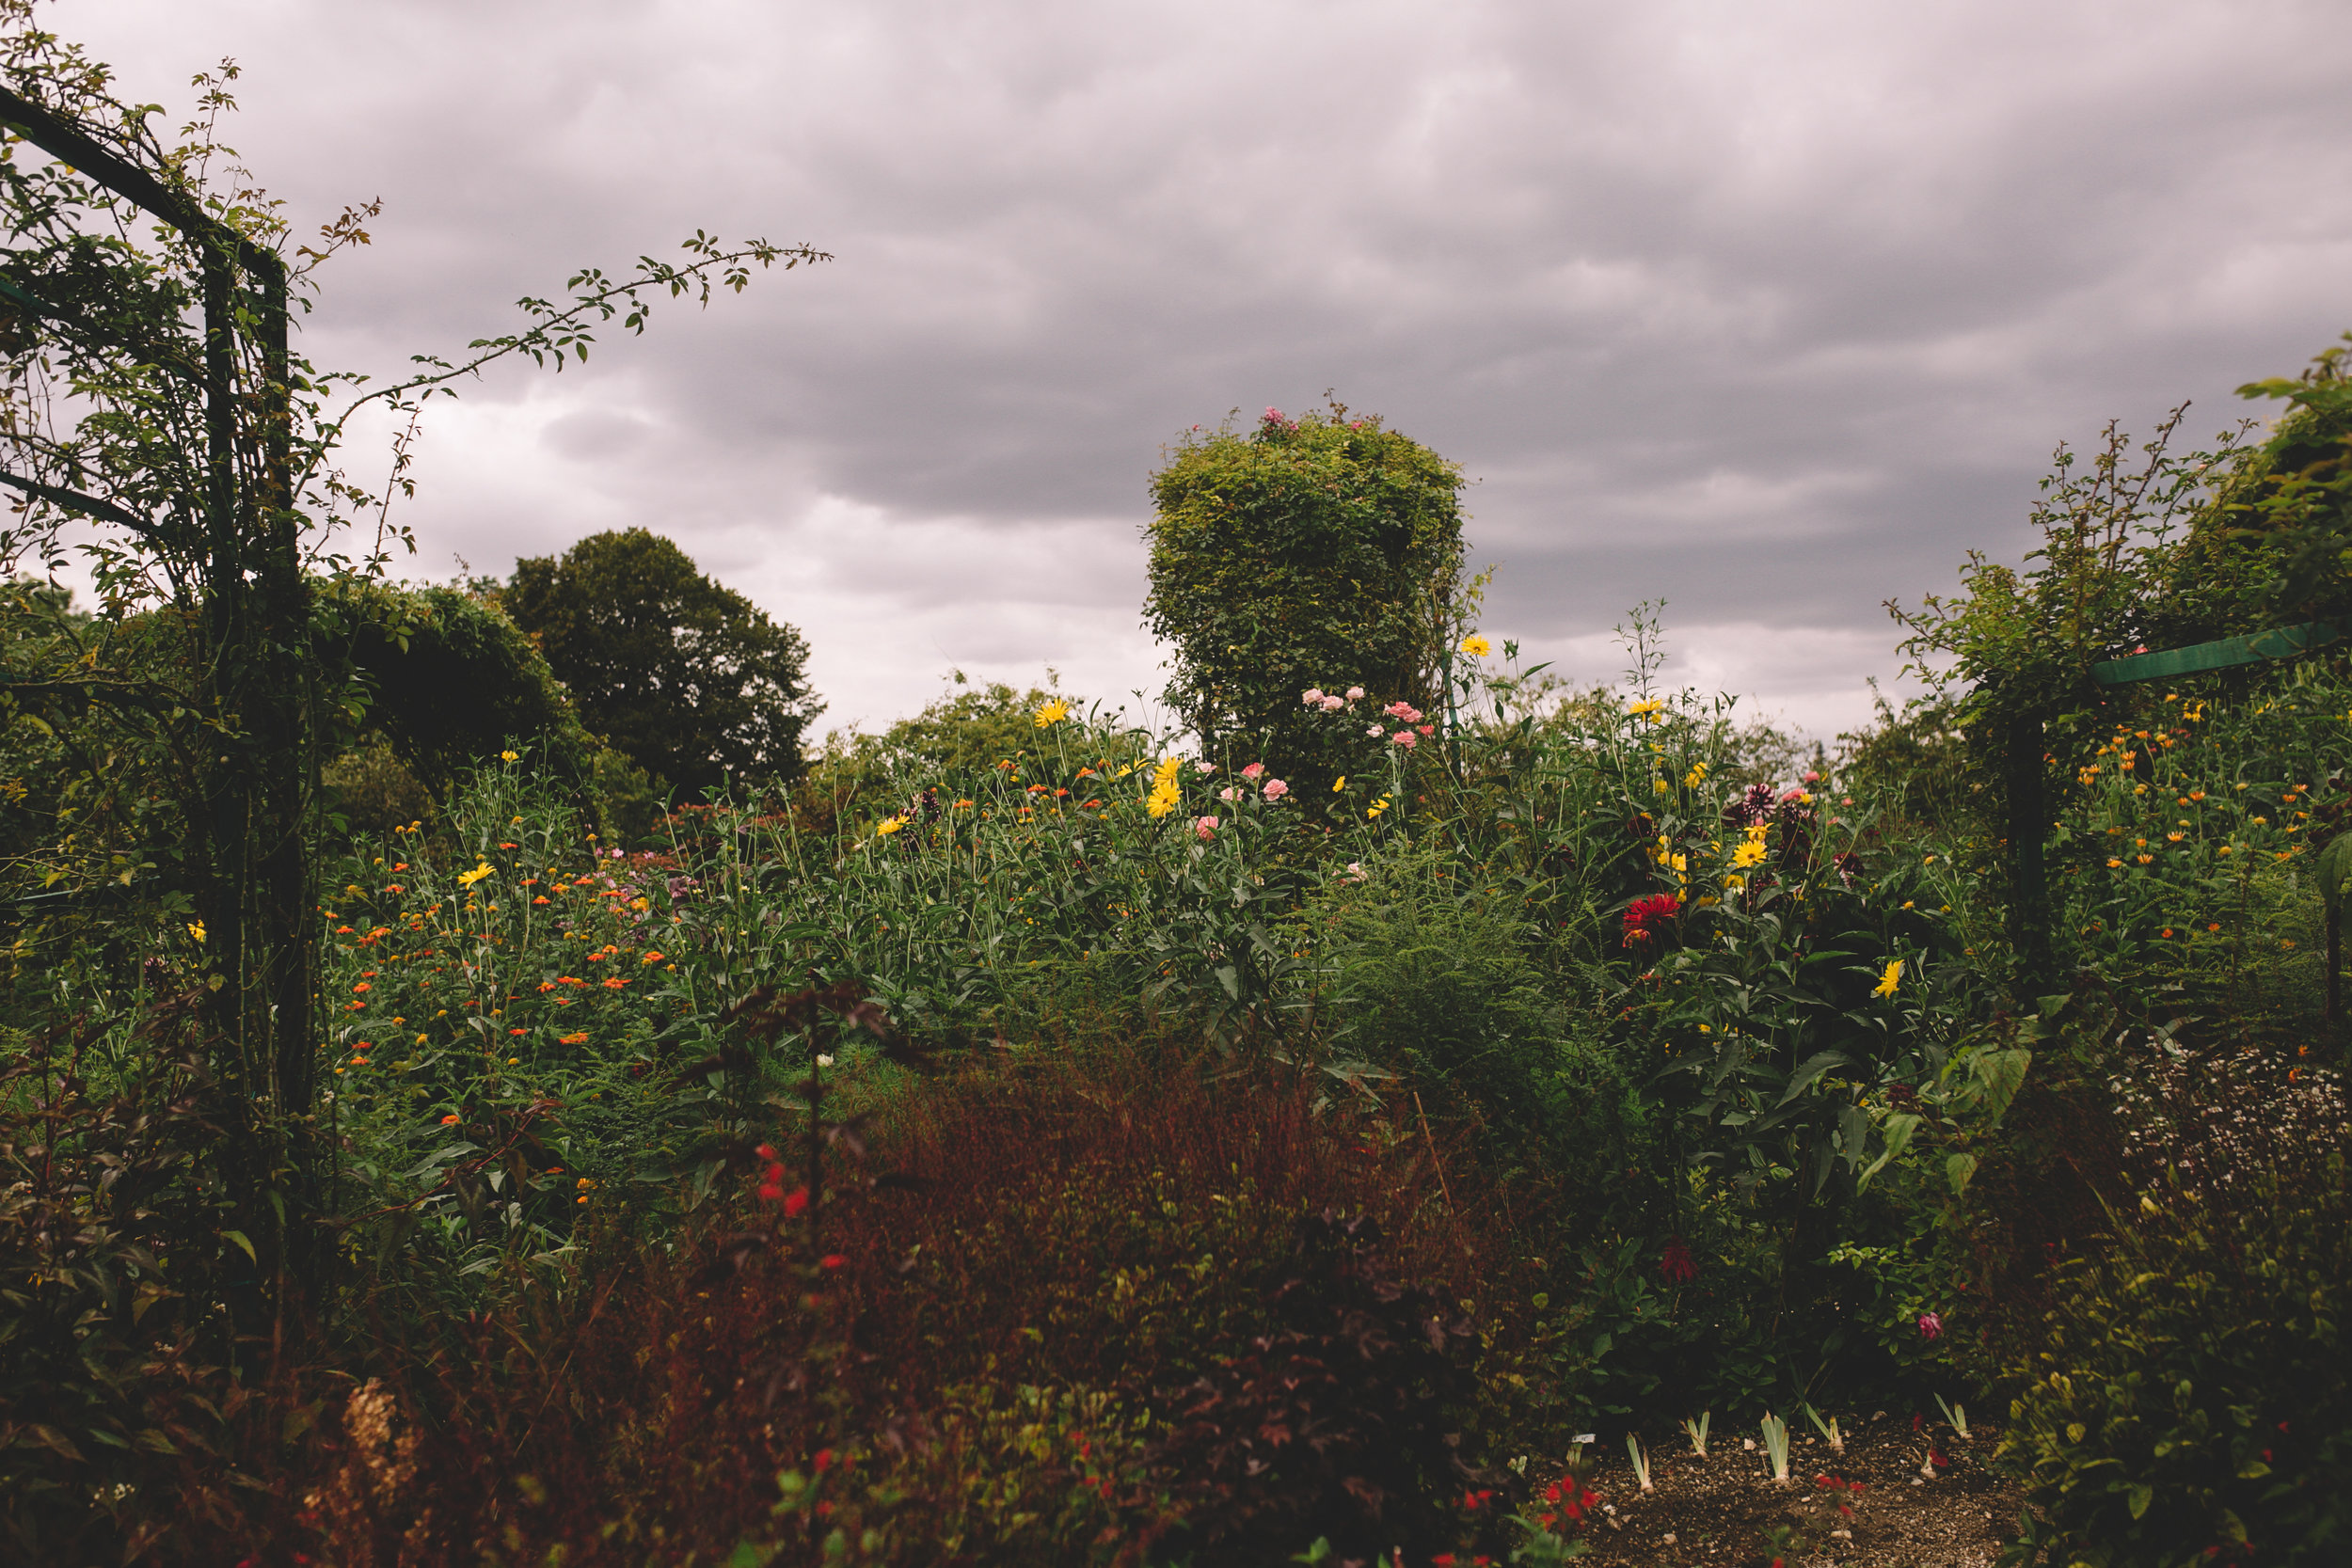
683	676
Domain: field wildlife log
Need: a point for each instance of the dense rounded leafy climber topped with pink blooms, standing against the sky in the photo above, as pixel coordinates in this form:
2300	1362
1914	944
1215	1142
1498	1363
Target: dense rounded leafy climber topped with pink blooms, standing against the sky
1307	554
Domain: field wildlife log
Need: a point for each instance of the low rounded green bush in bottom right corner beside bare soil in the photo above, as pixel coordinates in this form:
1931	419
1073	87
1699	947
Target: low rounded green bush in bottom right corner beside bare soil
2191	1402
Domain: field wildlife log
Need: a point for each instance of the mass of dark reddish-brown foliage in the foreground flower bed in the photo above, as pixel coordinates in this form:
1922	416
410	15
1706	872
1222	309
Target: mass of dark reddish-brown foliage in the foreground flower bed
1107	1311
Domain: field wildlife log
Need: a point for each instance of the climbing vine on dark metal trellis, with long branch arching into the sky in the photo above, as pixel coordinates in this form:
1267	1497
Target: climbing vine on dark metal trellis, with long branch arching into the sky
159	431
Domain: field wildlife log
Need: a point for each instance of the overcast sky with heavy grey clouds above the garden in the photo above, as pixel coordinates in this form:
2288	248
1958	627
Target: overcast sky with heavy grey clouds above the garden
1768	311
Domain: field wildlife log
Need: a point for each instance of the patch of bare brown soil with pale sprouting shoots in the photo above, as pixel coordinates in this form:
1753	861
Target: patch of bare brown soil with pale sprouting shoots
1723	1510
